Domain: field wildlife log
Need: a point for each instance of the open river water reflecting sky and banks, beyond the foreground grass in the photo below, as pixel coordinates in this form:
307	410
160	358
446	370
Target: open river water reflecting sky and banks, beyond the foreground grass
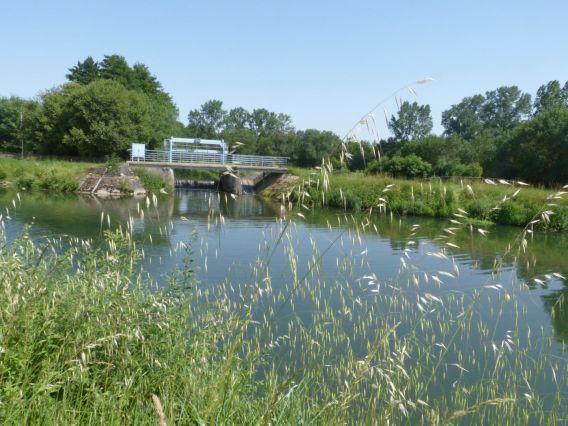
232	229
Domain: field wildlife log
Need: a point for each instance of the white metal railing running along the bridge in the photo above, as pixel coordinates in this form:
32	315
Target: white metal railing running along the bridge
161	156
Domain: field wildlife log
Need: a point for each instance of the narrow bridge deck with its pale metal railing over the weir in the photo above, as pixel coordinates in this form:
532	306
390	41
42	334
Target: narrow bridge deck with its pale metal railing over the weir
210	161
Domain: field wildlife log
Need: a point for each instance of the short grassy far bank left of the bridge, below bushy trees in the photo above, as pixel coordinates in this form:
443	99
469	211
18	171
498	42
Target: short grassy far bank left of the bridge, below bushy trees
49	175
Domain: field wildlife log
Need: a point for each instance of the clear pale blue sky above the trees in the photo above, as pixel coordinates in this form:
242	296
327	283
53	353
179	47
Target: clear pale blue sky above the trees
325	63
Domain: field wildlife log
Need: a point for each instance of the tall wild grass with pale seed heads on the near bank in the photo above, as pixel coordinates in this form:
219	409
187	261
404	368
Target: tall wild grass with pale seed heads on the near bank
87	337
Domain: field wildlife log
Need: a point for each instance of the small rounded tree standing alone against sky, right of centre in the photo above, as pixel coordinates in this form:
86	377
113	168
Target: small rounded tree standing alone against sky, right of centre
413	122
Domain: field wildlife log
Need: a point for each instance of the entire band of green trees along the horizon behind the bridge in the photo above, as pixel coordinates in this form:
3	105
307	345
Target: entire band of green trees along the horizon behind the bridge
106	105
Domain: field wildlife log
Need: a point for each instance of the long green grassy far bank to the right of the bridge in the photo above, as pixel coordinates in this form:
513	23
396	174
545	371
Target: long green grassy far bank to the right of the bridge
500	203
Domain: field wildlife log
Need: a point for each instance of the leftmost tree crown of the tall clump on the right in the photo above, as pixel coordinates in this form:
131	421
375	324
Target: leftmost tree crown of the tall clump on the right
465	119
